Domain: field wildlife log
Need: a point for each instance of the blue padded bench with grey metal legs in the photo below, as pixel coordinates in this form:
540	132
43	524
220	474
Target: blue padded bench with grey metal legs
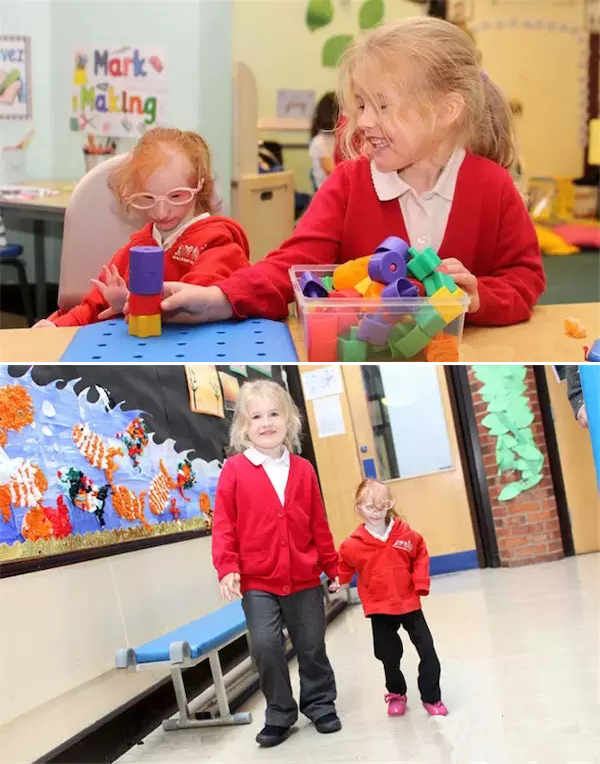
185	647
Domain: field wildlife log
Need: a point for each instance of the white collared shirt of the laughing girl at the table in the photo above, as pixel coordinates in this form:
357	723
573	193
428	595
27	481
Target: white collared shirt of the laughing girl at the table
426	216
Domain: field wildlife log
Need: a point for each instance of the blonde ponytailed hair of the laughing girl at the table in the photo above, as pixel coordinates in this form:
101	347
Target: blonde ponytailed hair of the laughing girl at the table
441	59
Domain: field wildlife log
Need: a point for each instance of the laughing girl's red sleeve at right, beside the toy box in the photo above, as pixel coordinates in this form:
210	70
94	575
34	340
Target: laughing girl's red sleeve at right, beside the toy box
508	295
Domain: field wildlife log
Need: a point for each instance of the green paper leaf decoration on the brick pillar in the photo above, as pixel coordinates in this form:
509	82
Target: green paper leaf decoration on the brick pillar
509	419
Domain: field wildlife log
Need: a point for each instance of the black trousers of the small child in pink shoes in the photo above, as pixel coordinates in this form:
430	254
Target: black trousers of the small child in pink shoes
389	650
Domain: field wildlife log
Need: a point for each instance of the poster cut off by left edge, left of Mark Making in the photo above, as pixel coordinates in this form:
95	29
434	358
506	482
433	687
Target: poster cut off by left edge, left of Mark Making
15	78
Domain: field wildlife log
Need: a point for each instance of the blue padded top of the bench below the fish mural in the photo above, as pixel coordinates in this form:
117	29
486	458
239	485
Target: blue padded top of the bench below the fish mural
203	635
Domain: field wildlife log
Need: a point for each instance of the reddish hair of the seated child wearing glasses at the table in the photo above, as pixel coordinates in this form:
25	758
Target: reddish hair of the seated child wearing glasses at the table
152	152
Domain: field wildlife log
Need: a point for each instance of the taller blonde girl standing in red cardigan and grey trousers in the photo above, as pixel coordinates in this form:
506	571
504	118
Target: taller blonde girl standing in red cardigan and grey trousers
270	541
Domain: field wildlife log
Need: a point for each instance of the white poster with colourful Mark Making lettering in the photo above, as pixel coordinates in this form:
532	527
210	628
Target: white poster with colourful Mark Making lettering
118	92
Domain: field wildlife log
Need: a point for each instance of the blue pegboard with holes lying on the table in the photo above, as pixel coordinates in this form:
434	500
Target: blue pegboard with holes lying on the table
255	339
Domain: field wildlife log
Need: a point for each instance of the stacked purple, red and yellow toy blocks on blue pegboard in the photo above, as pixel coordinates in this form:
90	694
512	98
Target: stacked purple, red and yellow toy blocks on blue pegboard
146	276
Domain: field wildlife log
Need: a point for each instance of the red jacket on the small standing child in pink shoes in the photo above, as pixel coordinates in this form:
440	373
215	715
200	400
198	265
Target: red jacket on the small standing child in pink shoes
392	574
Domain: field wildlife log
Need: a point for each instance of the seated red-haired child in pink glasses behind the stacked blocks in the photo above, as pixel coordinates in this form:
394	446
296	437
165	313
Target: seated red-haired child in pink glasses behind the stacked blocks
168	177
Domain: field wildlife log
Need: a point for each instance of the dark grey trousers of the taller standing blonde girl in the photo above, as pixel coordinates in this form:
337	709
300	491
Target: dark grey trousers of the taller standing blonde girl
303	614
